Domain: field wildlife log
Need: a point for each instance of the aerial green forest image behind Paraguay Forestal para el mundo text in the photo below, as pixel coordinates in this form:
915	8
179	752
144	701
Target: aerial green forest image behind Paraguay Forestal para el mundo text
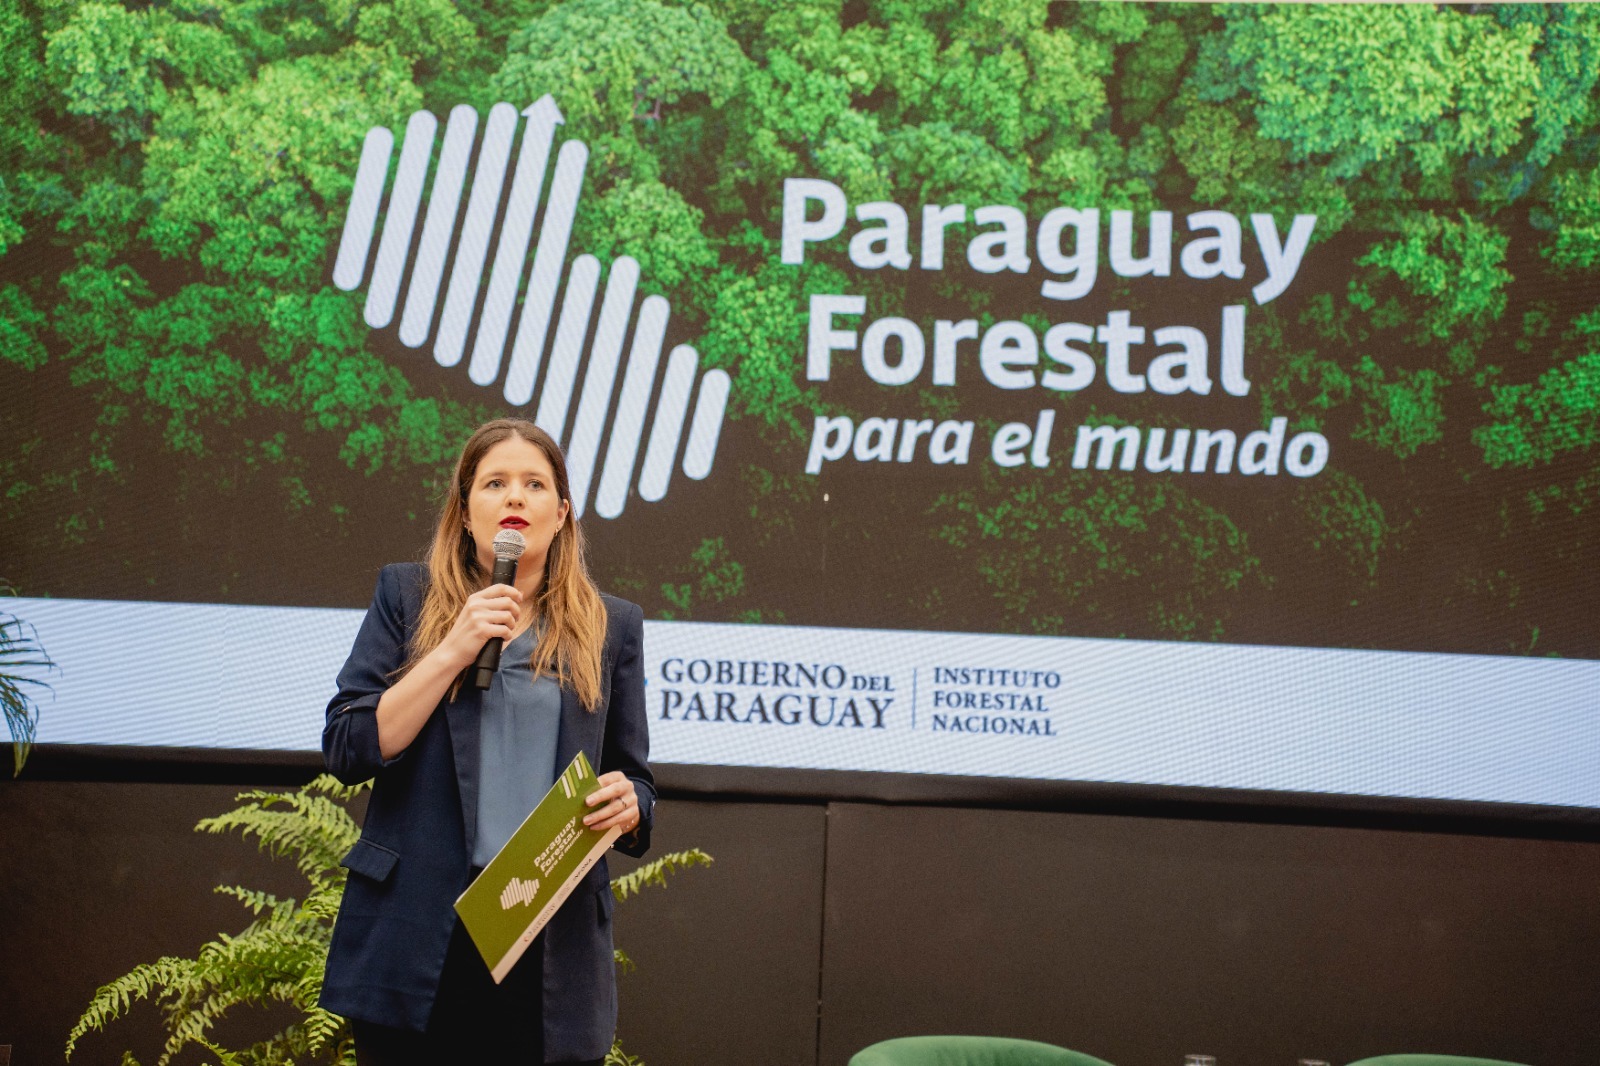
1255	324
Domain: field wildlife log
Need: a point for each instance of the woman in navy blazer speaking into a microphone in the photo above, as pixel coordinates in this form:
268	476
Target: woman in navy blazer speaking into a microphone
457	772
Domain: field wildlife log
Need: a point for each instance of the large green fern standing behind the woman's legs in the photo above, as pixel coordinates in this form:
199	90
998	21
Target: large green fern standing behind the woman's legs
279	956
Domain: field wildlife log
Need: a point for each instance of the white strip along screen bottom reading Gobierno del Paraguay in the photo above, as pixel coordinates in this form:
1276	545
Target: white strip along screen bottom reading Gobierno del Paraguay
1458	727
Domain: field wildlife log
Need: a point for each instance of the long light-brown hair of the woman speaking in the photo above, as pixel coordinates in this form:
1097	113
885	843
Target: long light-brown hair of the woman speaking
569	604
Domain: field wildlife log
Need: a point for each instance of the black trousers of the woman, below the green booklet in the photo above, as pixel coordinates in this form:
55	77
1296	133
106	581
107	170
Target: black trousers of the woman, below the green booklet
476	1022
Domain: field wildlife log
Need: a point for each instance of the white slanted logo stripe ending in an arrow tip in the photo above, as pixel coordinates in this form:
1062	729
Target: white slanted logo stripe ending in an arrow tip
511	255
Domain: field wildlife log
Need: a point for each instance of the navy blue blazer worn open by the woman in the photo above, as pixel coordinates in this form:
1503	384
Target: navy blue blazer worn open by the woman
415	852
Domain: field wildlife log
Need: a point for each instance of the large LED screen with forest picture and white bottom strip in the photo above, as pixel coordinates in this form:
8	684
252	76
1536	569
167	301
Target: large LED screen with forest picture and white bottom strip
1153	395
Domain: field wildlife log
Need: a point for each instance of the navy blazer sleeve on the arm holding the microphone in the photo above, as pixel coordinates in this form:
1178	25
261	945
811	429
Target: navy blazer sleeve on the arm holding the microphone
350	735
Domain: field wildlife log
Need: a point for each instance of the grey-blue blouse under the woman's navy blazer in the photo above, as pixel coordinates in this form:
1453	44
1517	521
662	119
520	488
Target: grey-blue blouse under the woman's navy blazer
518	732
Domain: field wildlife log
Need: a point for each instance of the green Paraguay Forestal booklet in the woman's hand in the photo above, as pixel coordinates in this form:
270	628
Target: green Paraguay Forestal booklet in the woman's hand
534	875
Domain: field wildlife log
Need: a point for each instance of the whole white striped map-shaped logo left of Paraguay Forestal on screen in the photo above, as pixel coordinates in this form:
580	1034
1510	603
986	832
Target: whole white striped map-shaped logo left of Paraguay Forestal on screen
583	439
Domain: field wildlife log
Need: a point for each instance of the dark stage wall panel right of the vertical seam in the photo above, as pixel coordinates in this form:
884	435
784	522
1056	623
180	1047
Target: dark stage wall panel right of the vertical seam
1142	940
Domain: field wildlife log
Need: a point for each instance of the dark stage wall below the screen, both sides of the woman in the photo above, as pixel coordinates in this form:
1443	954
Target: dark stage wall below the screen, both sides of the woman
825	928
